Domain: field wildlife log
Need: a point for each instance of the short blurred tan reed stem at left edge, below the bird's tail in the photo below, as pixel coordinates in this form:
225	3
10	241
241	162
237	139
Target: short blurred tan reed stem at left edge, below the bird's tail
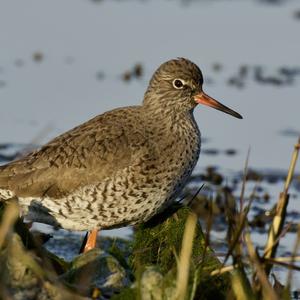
10	215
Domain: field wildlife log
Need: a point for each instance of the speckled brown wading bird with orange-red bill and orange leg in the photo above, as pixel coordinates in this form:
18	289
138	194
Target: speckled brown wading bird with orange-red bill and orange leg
121	167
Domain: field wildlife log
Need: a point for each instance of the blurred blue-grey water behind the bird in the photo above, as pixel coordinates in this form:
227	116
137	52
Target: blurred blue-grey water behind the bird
63	62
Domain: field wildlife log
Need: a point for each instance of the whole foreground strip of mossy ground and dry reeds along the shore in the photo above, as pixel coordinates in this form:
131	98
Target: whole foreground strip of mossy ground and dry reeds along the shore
169	257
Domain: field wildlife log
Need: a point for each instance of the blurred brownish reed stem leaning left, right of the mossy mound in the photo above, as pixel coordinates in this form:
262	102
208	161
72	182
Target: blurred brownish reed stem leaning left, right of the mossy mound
267	290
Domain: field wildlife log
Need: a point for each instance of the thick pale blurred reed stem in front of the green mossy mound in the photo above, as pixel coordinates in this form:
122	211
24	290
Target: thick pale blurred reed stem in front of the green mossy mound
185	257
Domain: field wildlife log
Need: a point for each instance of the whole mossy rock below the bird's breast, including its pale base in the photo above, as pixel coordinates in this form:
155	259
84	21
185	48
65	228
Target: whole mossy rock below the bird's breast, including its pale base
156	247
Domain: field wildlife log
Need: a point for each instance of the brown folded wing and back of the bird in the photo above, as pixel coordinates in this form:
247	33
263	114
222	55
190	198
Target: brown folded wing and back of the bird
86	154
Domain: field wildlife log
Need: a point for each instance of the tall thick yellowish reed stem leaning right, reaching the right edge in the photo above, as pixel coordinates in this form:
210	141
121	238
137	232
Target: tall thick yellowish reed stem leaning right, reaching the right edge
278	221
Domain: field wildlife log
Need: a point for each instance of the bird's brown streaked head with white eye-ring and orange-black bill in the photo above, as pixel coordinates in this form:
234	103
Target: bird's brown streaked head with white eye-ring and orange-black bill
177	85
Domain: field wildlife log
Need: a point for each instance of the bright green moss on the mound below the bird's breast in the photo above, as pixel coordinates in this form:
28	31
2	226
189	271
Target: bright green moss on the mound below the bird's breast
159	245
